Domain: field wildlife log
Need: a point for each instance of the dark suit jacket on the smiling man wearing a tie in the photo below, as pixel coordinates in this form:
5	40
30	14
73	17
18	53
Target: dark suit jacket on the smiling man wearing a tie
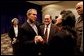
47	47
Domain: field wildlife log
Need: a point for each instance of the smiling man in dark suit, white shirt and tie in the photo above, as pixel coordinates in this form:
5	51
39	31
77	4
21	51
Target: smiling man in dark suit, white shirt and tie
51	28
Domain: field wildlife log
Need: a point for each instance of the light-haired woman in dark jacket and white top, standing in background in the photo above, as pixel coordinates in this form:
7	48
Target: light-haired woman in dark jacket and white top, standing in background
14	34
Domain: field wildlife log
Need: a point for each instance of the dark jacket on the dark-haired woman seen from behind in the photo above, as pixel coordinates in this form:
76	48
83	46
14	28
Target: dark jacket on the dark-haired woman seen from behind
62	43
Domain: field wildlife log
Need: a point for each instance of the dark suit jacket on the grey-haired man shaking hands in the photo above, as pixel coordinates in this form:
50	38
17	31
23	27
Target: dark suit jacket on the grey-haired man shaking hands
28	45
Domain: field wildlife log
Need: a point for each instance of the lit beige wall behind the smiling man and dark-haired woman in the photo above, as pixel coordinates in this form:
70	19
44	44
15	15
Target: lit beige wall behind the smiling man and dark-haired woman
54	9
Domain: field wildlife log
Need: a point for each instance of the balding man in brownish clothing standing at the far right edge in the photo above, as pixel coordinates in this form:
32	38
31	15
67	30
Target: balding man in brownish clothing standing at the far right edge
79	28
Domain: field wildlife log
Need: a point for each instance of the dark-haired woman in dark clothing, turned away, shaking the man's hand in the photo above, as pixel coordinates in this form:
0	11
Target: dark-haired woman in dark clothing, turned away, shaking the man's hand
64	41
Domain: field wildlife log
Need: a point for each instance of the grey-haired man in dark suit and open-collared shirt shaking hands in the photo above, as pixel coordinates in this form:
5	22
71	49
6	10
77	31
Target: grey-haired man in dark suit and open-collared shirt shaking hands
29	30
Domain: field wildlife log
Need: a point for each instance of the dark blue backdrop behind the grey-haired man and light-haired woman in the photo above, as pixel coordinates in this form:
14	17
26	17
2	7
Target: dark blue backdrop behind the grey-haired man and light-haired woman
11	9
